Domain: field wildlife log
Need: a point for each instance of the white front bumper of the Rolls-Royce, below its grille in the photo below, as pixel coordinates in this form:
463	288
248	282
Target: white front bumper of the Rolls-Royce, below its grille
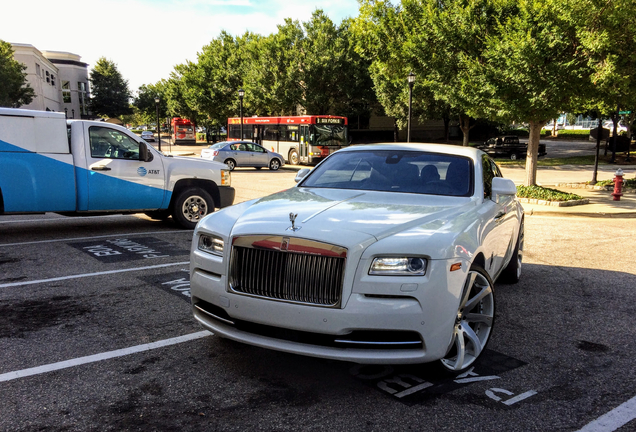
417	325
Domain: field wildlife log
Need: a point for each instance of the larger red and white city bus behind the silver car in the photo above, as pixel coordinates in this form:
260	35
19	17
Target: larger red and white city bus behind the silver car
299	139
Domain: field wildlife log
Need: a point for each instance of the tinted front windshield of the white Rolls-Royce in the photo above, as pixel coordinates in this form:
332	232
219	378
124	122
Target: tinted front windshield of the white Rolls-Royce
395	171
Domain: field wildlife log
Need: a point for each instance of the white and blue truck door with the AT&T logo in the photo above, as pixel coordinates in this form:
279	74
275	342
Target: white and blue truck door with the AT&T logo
117	179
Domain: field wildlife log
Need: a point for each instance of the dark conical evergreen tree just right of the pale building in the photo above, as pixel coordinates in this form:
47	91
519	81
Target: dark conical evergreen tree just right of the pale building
110	95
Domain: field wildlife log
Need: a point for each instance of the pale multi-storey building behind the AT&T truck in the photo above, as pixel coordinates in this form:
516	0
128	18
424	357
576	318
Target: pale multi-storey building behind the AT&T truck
59	79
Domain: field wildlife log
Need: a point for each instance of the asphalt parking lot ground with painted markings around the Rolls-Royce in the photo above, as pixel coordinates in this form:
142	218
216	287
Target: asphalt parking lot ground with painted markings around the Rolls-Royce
95	336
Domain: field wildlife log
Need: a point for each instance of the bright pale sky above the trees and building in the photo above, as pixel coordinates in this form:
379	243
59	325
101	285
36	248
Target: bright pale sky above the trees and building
146	38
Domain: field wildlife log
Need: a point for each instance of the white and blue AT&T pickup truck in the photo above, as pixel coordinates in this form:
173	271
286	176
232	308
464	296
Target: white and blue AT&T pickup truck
78	167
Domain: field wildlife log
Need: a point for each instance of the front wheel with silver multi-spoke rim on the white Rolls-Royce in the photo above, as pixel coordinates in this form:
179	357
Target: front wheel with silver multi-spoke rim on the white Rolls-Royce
473	322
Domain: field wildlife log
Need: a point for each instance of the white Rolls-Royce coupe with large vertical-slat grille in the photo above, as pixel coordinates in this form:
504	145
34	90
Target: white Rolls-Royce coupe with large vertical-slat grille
383	253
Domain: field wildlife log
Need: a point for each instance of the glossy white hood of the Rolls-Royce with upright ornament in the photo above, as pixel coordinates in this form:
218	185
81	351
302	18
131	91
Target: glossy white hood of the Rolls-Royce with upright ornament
342	217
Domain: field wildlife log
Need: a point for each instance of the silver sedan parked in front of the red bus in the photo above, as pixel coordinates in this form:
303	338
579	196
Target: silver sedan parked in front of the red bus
243	154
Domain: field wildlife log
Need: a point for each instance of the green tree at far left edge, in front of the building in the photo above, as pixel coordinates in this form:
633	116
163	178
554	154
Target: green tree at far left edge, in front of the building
14	90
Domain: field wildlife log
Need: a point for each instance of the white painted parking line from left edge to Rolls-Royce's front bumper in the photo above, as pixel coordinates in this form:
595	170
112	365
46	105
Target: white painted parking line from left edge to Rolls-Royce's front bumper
103	356
